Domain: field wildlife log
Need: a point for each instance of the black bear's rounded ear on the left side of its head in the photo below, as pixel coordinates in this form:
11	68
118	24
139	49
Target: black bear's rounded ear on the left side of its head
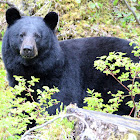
12	14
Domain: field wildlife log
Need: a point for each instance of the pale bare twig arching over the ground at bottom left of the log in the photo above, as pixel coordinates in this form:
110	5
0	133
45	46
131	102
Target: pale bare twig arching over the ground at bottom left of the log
45	124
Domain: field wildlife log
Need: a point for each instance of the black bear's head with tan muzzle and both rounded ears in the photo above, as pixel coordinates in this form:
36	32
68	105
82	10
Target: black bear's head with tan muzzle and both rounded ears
28	36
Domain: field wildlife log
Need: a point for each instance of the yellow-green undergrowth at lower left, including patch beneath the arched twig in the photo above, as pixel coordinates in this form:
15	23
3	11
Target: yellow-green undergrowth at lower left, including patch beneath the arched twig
13	119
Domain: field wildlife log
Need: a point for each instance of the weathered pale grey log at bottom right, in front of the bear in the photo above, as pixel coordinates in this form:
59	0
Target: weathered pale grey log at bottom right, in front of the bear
103	126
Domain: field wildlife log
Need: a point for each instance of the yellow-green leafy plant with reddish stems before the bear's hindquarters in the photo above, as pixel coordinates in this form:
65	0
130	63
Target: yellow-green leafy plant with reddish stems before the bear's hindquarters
110	65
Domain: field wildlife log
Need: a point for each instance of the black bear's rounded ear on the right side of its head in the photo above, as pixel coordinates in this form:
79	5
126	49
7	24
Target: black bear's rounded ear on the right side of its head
51	19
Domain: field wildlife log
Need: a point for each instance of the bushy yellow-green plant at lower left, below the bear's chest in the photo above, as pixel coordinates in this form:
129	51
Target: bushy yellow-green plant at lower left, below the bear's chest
13	120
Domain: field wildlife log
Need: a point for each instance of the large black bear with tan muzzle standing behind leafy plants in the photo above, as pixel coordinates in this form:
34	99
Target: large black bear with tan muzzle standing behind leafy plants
30	48
